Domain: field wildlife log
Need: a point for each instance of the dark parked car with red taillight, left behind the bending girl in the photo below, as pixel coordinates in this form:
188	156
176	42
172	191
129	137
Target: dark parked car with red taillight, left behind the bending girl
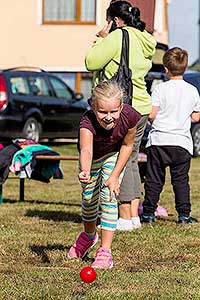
36	104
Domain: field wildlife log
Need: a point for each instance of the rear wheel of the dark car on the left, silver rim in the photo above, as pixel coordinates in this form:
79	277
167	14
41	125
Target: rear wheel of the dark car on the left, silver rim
32	129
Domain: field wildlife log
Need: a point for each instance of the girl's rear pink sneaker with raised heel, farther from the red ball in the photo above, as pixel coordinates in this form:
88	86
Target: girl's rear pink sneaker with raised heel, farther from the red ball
82	245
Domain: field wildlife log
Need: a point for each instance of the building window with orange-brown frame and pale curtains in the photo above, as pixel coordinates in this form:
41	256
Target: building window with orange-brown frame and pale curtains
69	11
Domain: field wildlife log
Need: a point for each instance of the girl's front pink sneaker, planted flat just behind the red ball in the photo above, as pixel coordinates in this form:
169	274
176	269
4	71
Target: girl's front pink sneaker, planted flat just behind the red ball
103	259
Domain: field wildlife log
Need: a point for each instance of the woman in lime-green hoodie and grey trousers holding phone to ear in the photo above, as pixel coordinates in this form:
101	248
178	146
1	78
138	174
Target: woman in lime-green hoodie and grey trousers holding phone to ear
104	53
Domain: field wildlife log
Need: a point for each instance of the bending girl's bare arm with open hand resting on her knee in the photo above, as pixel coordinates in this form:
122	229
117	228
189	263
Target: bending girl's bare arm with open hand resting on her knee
124	154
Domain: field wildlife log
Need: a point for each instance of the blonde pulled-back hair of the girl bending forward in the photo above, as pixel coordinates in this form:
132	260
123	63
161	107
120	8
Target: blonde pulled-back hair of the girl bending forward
106	90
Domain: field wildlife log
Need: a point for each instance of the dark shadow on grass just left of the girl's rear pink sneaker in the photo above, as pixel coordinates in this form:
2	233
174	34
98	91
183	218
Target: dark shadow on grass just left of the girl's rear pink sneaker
41	251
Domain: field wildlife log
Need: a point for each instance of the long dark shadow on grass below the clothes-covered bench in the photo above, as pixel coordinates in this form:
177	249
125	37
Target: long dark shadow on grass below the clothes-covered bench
56	215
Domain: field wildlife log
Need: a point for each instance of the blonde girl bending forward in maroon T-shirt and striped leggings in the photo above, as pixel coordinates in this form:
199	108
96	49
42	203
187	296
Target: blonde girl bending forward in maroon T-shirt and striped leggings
106	135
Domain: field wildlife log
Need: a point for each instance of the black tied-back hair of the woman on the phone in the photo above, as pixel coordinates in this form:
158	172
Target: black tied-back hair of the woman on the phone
125	11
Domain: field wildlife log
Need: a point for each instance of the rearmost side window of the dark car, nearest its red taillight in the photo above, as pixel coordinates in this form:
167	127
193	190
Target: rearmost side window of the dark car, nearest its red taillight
19	85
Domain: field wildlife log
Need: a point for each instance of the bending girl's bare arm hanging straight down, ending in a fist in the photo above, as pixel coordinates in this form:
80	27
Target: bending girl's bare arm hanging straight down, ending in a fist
86	154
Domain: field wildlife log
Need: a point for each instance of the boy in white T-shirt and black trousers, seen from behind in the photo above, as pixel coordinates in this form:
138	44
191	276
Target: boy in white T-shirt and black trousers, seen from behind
174	104
